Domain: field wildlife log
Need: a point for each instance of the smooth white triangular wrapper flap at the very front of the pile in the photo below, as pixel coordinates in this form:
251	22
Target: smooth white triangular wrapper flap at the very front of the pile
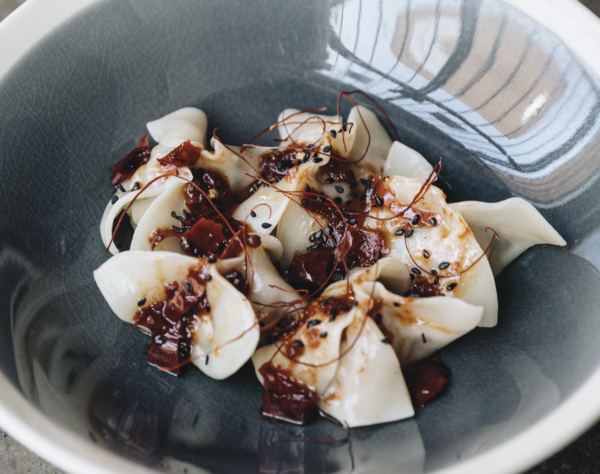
368	387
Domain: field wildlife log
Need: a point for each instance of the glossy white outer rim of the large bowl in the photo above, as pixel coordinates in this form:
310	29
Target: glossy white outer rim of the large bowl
569	20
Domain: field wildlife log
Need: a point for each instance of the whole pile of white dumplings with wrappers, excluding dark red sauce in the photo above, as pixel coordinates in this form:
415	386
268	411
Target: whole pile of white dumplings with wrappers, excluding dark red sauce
365	385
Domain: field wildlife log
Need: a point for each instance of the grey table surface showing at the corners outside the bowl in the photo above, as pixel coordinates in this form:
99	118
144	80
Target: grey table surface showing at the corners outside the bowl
581	457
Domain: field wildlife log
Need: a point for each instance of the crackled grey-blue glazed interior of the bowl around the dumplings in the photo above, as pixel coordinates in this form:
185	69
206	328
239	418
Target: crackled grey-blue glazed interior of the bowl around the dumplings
503	101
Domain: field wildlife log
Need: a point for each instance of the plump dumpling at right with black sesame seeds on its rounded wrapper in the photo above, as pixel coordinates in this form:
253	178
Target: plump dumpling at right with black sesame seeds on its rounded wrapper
450	241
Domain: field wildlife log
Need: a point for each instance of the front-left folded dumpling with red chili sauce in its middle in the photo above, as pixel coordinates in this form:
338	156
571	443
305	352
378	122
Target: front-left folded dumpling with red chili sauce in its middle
225	334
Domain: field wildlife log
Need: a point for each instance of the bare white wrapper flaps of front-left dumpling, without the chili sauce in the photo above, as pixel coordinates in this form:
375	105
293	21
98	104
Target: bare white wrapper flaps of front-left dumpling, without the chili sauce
128	277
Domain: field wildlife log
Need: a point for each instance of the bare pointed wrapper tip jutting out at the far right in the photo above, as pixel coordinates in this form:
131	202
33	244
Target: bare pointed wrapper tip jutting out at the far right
518	224
